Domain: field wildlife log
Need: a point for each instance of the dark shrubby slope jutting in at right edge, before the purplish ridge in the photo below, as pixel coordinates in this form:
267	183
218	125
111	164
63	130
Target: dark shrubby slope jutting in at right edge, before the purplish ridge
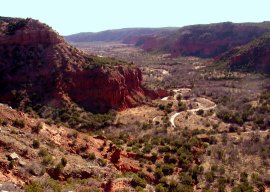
253	57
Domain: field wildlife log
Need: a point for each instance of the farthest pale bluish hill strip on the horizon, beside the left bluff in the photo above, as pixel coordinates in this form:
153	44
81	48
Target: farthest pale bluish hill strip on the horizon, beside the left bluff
115	35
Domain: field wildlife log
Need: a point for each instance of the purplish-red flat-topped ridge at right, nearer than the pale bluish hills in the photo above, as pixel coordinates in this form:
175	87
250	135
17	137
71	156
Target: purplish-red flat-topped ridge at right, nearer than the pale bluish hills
203	40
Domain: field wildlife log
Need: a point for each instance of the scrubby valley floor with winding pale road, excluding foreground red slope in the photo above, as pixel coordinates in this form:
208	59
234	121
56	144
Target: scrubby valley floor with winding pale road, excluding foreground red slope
228	111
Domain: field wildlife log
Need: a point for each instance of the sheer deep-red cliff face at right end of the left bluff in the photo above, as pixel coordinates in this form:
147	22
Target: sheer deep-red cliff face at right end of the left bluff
102	89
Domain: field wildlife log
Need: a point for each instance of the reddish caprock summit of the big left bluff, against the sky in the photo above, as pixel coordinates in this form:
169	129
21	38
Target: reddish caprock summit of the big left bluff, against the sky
26	32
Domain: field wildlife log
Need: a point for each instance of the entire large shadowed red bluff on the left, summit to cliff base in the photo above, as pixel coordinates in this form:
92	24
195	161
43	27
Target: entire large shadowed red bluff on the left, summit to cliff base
38	66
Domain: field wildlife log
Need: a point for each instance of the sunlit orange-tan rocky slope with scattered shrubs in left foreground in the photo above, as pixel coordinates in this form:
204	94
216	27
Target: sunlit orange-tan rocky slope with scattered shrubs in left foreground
34	153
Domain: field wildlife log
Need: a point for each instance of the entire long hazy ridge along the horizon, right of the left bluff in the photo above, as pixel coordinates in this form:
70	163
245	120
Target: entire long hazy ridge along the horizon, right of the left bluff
206	41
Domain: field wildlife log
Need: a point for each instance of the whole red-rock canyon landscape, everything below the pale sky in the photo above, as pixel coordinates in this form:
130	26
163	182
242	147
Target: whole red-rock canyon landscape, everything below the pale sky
166	109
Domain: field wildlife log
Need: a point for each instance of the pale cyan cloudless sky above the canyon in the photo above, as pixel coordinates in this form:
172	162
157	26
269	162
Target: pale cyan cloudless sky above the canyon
74	16
